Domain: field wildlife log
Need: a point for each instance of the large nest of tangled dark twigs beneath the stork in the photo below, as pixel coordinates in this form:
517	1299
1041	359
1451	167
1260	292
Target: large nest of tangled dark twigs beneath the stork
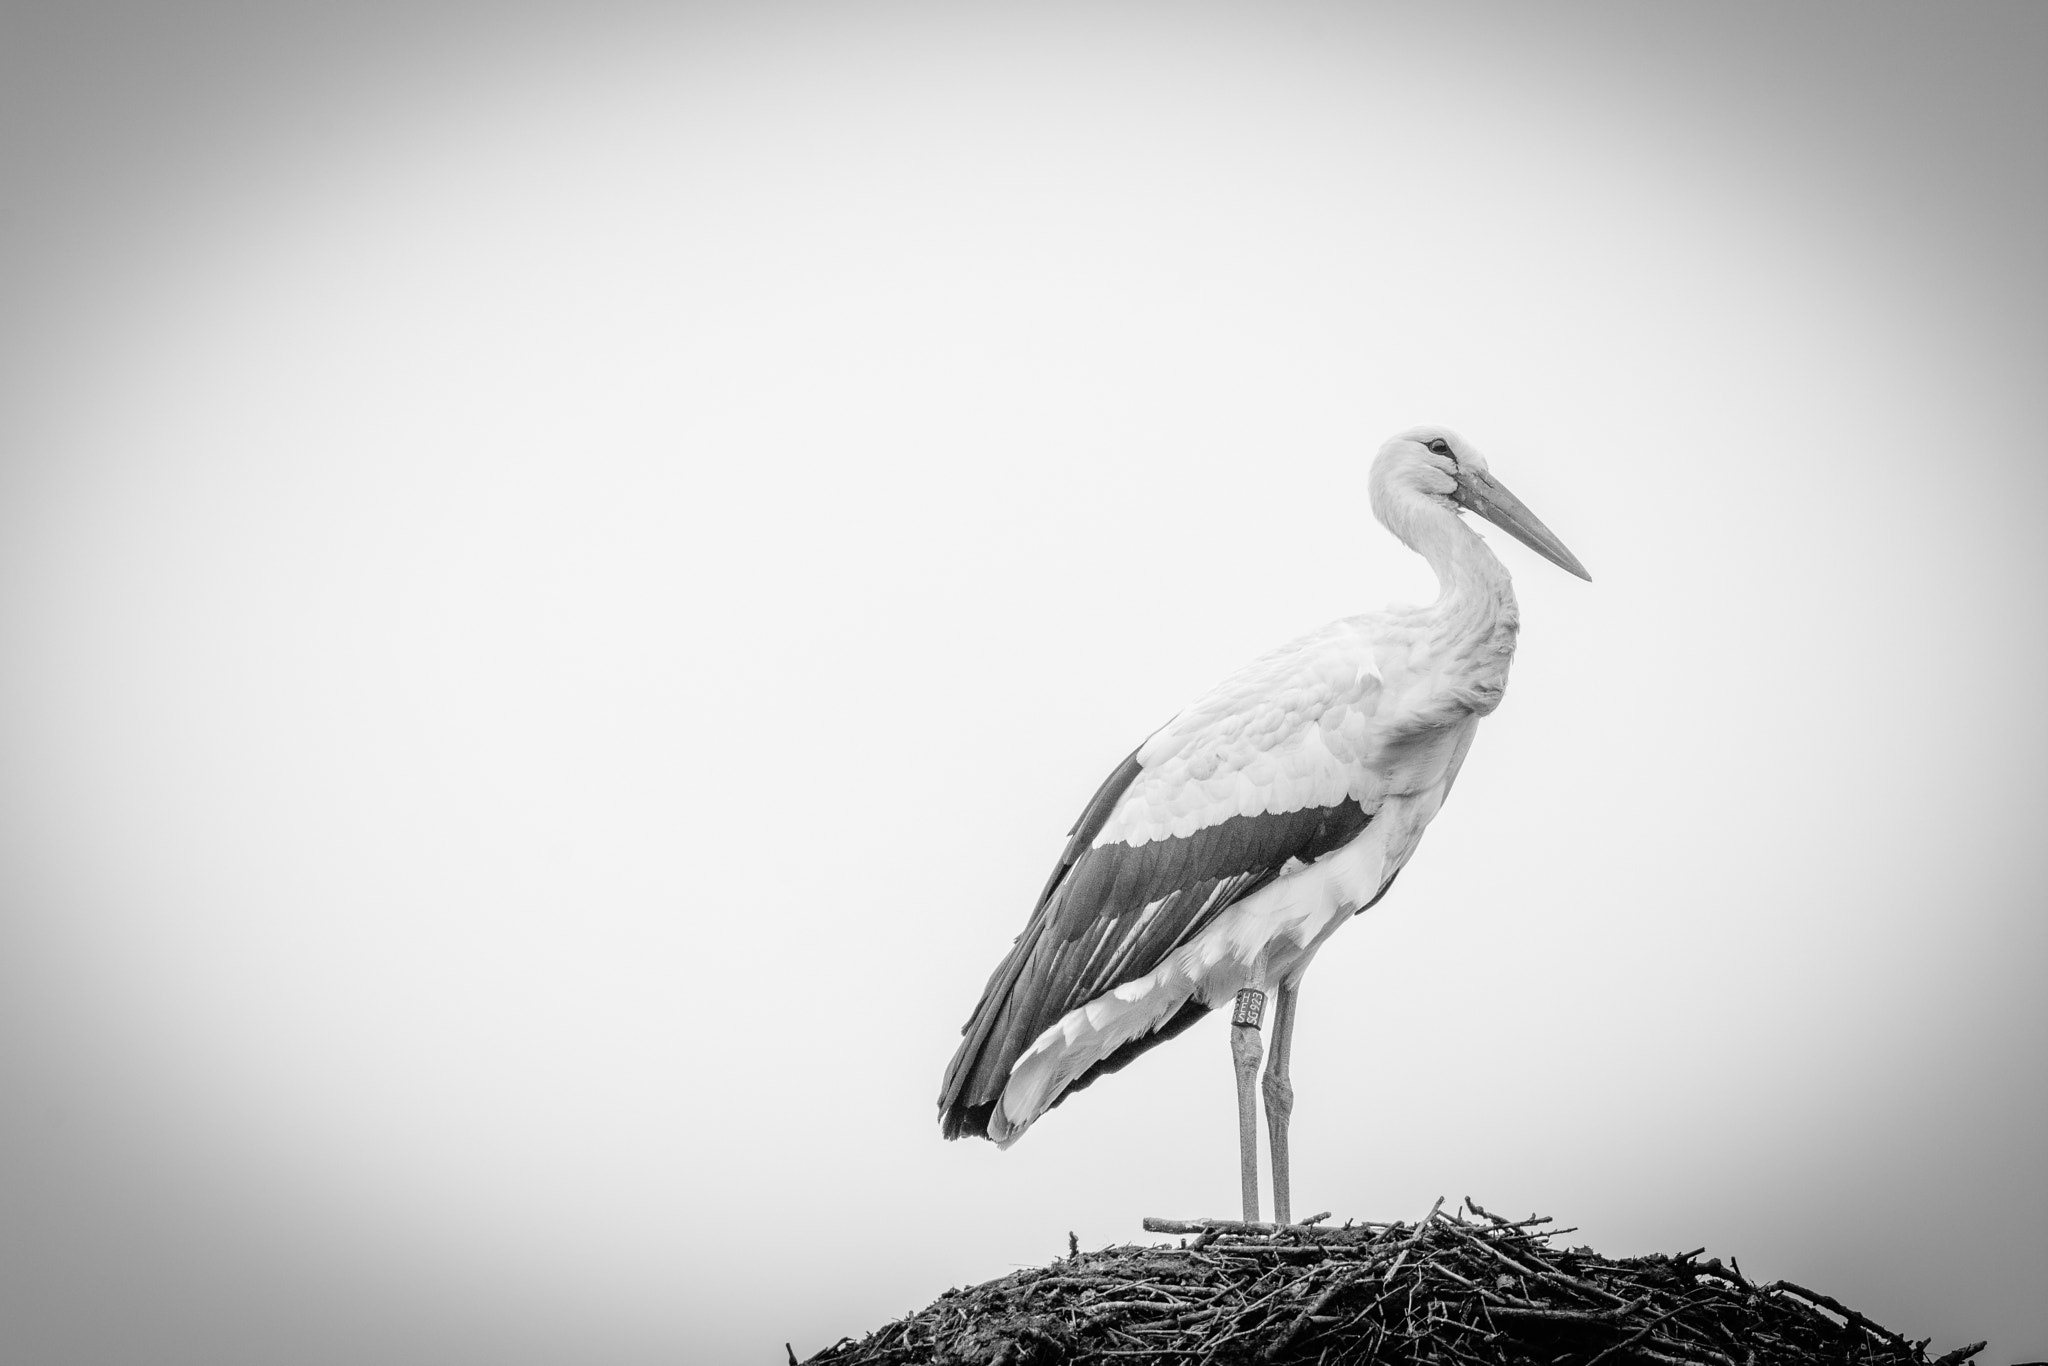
1451	1291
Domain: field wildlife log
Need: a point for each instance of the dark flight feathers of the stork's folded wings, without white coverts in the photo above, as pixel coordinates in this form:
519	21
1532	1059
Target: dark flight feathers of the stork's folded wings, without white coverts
1113	914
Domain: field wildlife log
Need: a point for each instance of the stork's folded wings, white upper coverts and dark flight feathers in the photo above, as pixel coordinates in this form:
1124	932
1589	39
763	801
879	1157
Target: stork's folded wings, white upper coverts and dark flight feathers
1256	777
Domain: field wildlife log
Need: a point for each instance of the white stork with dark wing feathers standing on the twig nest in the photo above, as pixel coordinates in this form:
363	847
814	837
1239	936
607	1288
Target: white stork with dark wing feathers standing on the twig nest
1220	857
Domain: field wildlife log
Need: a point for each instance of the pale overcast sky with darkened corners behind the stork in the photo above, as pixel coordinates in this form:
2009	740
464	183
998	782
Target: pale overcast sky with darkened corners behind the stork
564	572
